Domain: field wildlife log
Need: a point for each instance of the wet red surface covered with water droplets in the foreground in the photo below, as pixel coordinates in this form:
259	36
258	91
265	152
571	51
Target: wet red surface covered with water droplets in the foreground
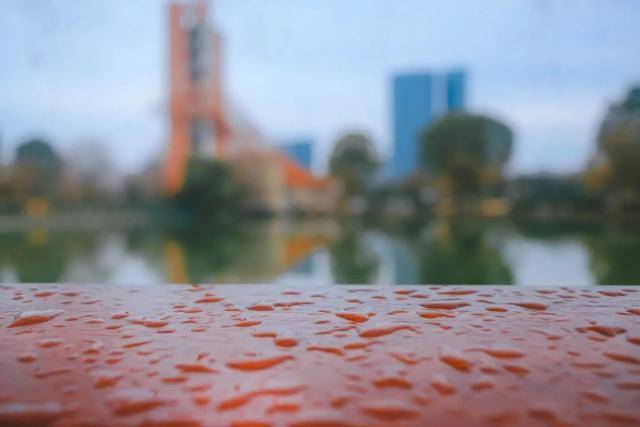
329	356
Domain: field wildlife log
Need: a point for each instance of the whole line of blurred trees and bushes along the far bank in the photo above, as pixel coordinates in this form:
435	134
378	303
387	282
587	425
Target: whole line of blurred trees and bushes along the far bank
463	172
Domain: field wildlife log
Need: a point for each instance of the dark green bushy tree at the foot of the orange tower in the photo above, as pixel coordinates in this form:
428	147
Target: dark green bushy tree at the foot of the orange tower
210	192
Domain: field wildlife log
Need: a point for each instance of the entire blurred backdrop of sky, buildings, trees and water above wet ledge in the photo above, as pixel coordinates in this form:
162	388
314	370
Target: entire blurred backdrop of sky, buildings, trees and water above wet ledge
335	141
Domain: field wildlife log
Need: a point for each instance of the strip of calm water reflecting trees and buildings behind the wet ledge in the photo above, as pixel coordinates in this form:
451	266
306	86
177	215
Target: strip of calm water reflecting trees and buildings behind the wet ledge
464	252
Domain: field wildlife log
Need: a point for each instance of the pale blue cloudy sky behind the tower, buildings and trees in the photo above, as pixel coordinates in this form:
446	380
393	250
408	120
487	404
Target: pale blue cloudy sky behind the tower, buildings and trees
96	70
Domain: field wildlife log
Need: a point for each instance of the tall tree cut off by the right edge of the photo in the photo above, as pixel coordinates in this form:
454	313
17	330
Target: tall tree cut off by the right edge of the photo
619	142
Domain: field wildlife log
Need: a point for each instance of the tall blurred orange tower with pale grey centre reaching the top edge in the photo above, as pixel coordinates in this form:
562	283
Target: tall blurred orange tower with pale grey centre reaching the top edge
197	120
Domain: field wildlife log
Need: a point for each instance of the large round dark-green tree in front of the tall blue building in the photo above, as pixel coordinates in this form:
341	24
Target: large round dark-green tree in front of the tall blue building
466	153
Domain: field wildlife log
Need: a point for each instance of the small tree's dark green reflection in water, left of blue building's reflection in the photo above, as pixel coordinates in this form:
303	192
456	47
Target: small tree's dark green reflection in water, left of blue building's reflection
351	260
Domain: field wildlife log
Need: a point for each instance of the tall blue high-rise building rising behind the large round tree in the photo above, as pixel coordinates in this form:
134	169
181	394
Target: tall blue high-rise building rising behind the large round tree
418	100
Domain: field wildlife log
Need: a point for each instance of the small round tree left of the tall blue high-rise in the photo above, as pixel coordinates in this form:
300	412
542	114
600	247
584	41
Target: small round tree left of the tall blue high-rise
354	162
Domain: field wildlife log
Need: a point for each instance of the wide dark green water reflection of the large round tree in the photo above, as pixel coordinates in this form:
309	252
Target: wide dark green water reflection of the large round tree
461	253
